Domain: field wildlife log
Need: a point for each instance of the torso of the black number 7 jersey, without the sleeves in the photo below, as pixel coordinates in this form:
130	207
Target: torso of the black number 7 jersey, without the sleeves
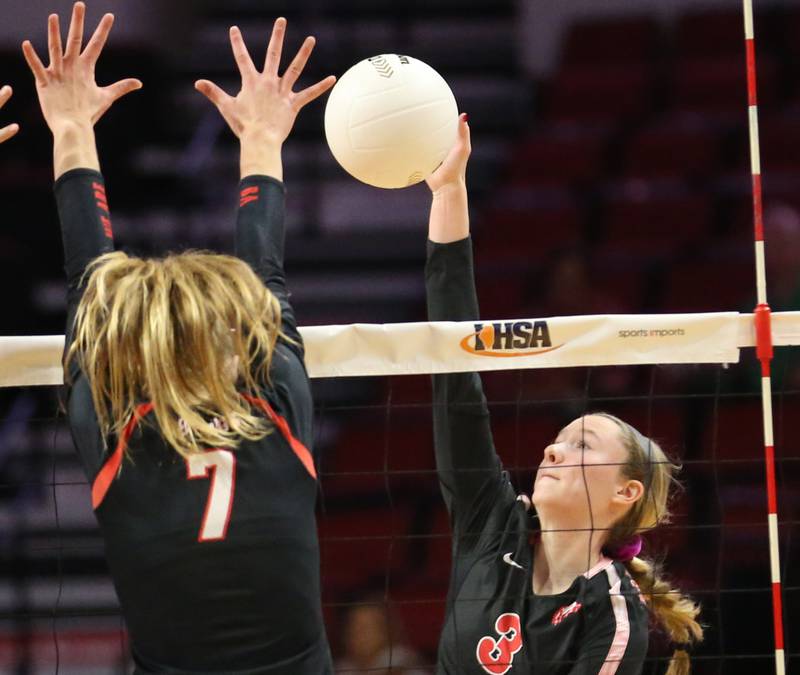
215	559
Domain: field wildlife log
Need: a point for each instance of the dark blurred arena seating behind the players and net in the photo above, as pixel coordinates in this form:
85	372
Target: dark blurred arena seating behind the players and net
610	173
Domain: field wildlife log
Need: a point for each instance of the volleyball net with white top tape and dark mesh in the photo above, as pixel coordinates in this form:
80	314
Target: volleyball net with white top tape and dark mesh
384	533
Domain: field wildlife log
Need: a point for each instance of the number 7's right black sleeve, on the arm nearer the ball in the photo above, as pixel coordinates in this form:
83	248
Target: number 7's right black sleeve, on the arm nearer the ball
260	237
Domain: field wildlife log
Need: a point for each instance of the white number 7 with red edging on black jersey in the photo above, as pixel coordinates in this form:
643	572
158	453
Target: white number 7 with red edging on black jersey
222	465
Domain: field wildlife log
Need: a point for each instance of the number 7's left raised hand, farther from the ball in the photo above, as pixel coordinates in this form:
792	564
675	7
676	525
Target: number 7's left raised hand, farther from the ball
68	93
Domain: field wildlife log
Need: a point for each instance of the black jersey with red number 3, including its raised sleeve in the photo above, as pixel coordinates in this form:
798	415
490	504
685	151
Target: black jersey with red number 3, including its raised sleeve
494	623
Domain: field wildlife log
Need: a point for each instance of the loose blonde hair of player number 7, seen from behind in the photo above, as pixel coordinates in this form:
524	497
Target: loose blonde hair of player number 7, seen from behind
181	332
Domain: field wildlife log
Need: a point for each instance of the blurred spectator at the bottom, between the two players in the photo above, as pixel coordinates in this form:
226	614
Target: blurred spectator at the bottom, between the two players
372	641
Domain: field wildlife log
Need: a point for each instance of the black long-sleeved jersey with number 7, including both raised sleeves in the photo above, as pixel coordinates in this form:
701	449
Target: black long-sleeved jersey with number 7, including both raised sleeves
215	560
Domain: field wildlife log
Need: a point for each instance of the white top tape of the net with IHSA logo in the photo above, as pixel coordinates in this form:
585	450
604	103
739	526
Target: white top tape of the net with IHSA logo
436	347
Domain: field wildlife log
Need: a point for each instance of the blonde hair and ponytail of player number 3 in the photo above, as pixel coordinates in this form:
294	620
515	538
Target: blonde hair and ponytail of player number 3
677	613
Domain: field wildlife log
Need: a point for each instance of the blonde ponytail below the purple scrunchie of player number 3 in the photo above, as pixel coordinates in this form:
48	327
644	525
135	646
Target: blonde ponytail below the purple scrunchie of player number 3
675	612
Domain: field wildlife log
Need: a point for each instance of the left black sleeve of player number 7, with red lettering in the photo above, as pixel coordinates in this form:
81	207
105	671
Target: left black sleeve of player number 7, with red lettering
85	232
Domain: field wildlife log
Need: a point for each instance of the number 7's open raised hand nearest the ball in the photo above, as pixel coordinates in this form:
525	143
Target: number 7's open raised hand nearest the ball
265	107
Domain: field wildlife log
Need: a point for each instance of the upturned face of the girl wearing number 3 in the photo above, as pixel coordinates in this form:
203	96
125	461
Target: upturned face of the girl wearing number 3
580	479
